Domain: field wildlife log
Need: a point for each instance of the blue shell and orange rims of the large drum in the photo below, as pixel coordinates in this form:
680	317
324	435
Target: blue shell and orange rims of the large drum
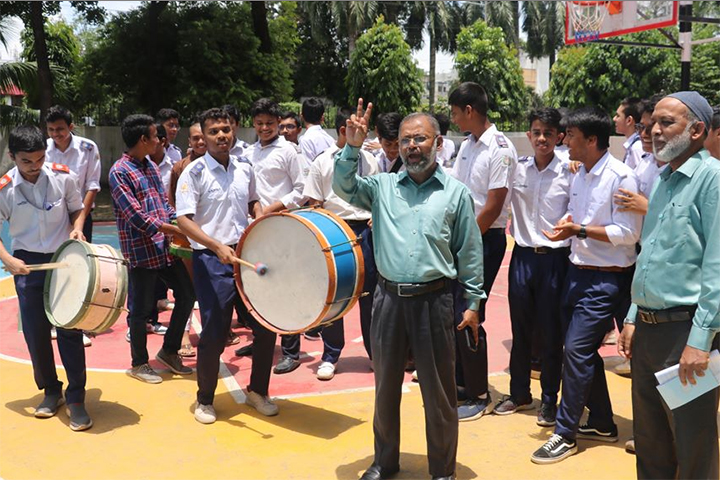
343	260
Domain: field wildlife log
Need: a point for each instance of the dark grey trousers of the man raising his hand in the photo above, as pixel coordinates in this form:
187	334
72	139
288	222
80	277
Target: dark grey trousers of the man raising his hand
425	324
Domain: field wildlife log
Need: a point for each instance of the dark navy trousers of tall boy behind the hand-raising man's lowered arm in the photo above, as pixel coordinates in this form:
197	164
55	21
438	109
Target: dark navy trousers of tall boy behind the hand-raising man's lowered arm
472	364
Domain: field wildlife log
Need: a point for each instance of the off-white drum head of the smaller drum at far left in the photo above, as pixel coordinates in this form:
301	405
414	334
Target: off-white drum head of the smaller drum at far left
67	288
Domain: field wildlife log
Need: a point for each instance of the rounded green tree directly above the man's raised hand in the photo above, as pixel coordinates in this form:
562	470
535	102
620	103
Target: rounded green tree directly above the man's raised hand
382	71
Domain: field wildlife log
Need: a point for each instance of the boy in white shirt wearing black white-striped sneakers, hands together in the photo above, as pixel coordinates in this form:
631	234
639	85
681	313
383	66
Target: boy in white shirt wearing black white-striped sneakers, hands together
598	281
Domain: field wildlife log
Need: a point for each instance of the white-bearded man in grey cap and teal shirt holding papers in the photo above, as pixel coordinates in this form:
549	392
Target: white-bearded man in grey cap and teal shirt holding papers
675	293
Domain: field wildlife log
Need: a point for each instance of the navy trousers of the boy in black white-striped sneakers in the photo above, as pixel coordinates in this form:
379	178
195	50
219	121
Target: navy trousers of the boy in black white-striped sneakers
590	298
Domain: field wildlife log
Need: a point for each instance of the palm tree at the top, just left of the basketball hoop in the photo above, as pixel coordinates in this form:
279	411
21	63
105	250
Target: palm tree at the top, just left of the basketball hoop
544	24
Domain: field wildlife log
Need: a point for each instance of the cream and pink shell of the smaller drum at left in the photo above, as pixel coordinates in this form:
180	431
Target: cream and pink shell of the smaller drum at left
104	295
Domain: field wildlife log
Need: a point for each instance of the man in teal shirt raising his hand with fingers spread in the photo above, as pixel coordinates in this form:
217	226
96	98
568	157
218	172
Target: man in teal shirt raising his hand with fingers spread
425	235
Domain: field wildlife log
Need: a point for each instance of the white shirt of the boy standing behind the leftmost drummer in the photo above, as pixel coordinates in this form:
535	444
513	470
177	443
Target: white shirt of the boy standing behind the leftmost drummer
83	158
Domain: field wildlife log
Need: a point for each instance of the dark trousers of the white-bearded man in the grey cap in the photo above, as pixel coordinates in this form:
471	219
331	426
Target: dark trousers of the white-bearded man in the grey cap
680	443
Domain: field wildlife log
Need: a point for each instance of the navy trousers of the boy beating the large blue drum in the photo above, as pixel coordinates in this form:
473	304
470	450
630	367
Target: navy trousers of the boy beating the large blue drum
216	294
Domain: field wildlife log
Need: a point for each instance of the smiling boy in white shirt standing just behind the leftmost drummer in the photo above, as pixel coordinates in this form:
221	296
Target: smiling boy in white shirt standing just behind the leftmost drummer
78	153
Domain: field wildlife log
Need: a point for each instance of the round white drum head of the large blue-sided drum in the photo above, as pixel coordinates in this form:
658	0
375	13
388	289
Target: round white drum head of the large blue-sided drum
293	294
